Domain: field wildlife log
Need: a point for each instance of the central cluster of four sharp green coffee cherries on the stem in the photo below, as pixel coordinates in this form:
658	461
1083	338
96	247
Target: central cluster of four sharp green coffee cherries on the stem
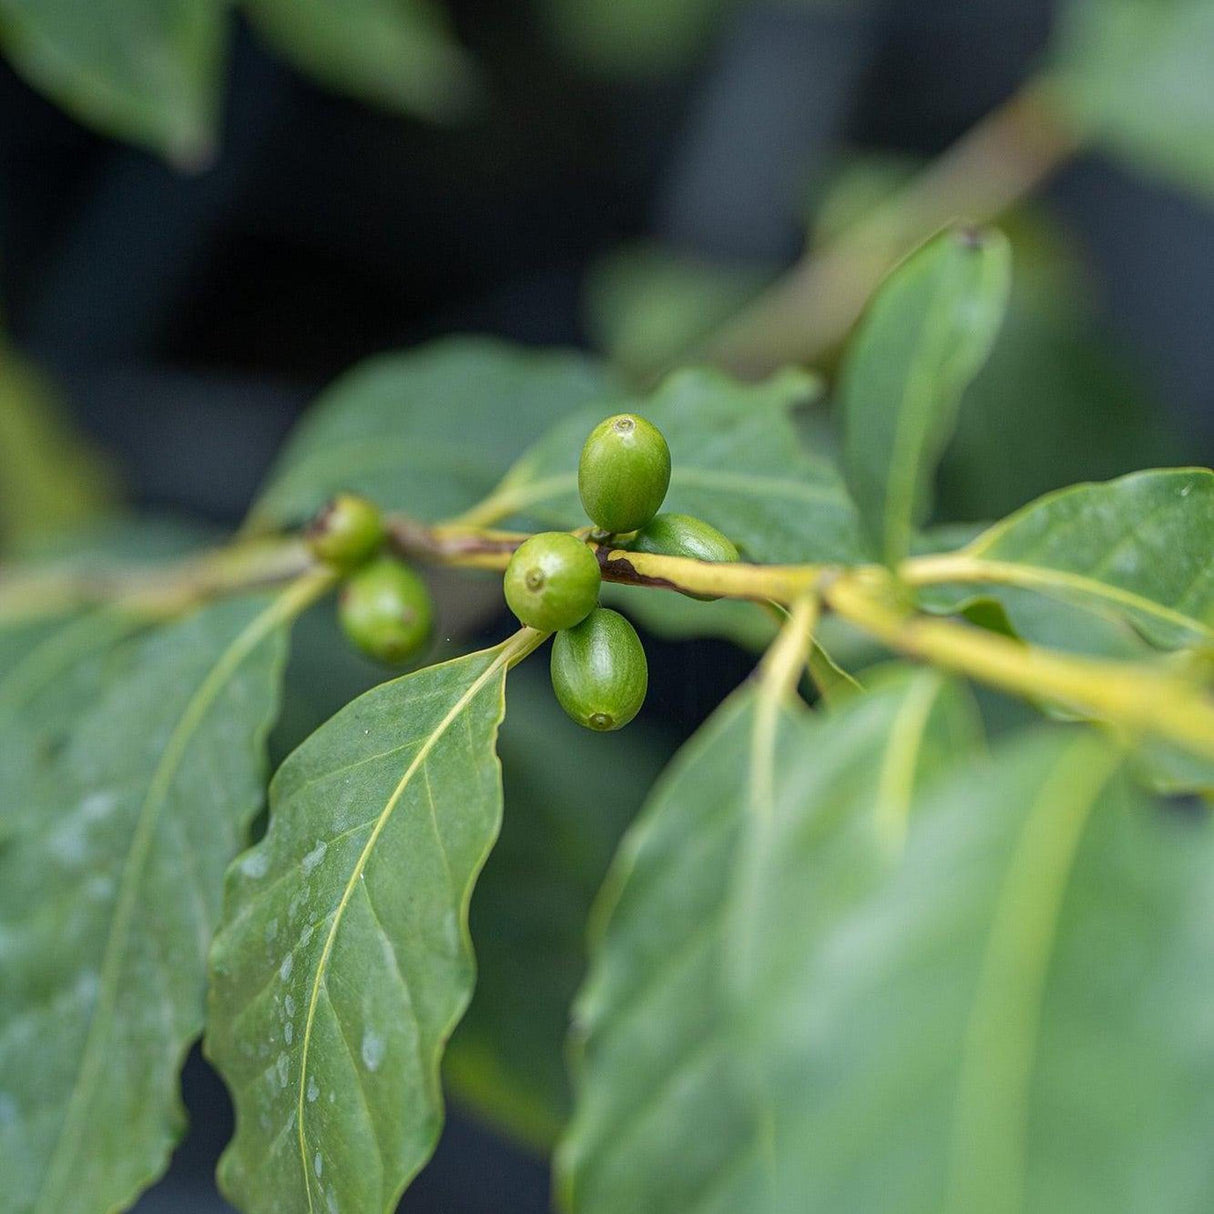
599	671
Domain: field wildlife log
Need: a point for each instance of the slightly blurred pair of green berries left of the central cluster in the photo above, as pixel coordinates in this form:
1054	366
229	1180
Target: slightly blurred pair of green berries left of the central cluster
384	609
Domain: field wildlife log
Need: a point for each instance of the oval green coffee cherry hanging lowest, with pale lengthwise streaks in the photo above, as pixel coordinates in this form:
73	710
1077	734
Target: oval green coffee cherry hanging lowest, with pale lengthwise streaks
599	671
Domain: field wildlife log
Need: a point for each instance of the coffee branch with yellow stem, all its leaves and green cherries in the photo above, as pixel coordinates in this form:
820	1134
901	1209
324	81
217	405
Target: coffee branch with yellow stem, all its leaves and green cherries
854	955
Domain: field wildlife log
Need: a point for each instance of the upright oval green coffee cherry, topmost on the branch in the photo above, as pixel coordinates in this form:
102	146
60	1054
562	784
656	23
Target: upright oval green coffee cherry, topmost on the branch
625	473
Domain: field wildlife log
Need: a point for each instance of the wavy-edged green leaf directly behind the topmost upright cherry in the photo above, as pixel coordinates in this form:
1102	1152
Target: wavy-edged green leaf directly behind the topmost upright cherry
736	462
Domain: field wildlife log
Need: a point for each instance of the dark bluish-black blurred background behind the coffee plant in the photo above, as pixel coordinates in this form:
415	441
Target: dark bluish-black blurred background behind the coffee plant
191	319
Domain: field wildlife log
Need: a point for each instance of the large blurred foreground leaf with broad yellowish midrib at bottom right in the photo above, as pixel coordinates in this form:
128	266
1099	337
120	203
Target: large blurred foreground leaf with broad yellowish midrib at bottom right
1018	1020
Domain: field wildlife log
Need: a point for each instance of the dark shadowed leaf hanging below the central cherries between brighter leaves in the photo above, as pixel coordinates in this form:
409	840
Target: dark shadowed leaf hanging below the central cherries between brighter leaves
507	1060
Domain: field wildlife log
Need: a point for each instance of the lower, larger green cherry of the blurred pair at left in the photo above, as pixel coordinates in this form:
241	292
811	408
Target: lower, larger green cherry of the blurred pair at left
385	611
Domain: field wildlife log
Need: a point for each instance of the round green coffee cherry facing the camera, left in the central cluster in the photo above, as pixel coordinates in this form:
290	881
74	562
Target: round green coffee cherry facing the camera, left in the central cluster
553	582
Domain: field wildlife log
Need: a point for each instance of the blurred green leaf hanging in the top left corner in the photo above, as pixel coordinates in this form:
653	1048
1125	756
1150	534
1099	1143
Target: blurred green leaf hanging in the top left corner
145	71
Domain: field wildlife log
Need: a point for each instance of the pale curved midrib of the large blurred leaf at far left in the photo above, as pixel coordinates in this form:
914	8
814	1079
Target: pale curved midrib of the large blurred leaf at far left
116	944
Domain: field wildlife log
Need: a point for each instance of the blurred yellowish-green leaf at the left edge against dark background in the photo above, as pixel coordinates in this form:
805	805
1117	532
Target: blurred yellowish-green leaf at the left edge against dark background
50	478
